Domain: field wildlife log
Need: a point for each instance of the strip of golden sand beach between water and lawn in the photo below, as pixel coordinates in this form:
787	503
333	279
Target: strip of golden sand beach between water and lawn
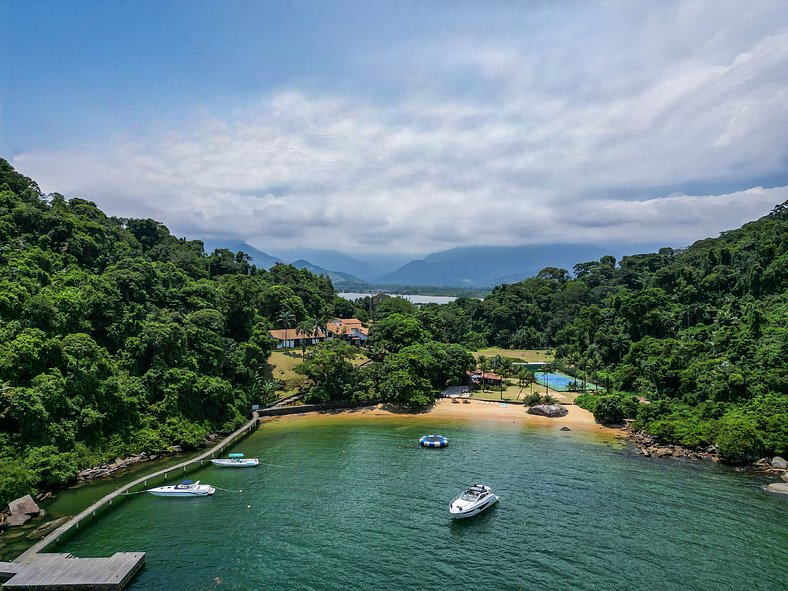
578	419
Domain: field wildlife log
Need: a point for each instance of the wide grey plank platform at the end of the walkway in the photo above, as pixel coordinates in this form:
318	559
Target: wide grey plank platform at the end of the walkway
66	573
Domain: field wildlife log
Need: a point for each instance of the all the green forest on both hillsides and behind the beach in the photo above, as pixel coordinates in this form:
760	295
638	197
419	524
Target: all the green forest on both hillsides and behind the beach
117	337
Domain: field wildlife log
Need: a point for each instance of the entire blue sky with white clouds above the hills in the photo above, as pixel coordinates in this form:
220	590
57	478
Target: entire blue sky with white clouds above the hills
404	126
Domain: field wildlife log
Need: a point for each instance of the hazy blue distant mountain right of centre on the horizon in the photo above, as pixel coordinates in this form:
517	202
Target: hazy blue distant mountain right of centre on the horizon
476	266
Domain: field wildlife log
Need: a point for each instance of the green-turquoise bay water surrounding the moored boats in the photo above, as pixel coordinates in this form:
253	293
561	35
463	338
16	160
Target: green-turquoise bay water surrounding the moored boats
358	504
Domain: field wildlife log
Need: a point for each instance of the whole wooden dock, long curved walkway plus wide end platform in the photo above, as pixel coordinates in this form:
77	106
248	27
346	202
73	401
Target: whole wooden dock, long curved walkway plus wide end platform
35	570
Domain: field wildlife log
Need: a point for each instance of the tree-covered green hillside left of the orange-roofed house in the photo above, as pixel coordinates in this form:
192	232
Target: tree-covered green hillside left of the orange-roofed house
116	337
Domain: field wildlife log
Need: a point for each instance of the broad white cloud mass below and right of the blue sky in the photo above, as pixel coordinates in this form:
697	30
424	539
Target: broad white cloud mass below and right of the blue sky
556	140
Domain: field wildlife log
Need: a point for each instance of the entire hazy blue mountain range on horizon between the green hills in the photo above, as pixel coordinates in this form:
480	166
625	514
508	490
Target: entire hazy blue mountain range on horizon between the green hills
470	266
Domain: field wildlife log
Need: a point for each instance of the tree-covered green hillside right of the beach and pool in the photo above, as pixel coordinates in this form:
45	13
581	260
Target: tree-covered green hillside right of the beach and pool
700	334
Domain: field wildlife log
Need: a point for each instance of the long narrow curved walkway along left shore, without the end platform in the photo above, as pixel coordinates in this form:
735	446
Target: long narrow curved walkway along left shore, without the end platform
72	526
